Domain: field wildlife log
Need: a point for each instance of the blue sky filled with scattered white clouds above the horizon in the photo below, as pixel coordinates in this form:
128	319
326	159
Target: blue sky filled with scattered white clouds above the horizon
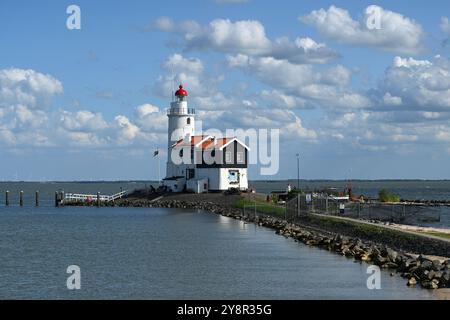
359	89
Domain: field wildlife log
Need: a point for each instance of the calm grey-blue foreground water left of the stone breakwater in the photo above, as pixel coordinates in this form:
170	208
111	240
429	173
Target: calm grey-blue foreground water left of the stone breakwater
165	253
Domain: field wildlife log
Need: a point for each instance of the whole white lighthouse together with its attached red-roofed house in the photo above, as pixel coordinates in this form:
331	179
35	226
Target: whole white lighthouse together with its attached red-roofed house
201	163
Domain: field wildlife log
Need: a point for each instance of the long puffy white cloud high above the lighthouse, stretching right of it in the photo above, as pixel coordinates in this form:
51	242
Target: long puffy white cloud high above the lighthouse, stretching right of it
245	37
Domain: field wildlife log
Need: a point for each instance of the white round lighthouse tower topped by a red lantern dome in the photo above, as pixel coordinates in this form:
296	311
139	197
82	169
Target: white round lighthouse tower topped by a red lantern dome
181	124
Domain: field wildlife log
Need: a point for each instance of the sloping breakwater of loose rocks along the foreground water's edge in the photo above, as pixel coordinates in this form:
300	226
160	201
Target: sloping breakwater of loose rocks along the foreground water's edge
418	270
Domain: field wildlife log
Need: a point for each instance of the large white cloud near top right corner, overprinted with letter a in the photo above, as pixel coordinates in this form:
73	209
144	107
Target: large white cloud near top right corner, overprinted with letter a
397	34
